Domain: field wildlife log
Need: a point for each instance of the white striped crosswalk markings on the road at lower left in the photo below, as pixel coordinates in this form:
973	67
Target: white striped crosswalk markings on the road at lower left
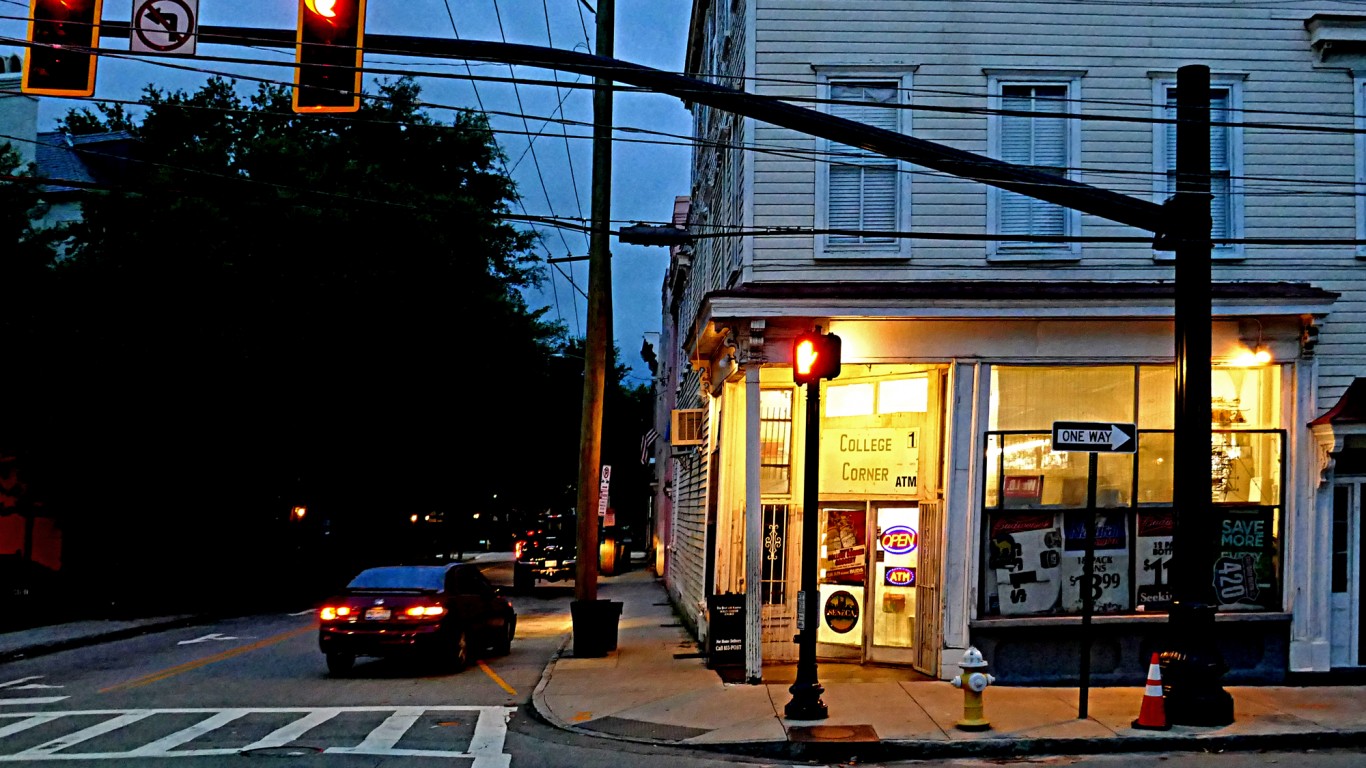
486	747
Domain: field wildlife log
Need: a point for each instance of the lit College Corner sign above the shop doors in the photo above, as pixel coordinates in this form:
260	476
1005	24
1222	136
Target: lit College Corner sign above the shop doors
878	461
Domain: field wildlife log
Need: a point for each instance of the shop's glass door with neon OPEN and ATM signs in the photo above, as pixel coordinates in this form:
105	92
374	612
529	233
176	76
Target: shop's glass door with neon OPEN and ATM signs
894	577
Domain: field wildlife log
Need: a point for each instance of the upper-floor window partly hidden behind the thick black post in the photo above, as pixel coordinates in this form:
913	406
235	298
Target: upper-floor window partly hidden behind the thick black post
1226	159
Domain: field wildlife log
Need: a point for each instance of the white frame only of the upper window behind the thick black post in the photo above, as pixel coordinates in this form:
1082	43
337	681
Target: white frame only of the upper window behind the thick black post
1237	200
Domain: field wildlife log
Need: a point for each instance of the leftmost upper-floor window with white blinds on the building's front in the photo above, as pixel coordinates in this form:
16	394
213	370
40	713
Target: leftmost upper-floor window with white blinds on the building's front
863	192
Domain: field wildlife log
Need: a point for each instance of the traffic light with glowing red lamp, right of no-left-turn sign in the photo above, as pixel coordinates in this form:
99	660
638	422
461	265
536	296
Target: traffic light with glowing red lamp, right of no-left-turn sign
330	57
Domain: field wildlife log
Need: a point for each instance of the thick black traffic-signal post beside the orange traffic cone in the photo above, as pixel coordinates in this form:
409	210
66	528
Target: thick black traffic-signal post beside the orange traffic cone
1193	665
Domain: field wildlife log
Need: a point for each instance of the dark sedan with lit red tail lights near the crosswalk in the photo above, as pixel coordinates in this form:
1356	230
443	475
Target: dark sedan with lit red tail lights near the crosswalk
445	613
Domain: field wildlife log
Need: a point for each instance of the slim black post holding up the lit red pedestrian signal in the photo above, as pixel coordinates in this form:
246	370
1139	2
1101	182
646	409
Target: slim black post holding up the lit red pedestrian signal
807	691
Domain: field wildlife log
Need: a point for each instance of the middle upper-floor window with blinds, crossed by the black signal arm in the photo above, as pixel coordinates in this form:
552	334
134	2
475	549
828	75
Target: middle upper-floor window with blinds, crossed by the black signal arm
1029	126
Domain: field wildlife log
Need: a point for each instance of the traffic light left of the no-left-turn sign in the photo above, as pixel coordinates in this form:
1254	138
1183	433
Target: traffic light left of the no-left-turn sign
62	33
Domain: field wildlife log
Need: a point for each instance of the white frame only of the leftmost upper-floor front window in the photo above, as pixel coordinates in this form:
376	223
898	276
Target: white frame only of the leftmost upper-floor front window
900	248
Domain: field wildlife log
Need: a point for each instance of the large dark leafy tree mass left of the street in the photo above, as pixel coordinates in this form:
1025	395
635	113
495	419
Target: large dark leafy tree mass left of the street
271	310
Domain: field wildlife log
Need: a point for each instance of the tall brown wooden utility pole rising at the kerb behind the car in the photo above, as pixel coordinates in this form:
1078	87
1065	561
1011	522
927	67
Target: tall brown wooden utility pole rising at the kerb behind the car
599	322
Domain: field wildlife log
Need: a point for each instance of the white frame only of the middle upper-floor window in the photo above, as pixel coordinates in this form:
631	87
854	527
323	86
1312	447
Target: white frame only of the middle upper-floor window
1006	251
